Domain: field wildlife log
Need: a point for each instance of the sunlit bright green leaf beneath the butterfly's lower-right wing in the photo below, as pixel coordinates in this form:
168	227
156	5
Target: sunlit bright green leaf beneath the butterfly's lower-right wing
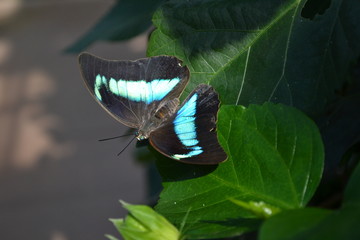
275	158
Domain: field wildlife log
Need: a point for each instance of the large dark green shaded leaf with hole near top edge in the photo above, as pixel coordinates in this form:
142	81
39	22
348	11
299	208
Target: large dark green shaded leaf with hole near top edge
257	51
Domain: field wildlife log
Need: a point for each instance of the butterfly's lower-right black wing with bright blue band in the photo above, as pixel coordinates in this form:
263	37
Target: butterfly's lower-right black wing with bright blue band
190	135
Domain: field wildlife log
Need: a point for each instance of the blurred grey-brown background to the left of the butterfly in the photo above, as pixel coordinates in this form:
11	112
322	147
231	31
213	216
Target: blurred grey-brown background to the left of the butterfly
57	182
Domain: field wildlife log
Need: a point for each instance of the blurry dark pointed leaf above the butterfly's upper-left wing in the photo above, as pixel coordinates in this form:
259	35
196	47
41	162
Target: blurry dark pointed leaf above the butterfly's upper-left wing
126	19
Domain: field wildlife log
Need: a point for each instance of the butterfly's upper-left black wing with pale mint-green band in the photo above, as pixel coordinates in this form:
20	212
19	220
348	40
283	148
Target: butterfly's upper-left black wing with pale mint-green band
132	90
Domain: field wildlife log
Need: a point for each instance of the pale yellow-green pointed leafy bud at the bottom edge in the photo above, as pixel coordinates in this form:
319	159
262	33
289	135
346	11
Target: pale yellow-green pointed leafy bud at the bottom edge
144	223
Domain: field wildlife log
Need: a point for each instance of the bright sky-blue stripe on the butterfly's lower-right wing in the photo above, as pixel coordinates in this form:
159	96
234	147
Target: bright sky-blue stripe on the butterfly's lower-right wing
185	128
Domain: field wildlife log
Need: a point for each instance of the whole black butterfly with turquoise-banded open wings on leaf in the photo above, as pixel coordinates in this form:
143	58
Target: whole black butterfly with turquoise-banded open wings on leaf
144	94
